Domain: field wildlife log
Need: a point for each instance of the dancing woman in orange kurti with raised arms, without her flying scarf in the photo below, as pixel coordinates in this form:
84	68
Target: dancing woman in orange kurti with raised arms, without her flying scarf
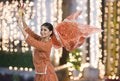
42	48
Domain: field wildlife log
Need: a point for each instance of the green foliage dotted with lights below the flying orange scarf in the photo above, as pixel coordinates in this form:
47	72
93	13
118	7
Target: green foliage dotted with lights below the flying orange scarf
75	58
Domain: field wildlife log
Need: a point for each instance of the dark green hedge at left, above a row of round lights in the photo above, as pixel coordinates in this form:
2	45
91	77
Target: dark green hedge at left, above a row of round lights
17	59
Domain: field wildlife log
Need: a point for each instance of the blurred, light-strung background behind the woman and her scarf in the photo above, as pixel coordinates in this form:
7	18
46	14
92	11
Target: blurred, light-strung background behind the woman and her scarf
98	59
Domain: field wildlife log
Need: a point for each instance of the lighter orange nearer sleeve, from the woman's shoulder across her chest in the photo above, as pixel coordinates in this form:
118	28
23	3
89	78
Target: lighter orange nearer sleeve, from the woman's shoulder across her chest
42	46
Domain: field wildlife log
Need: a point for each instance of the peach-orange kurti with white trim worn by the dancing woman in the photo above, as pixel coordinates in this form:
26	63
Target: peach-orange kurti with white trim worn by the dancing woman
41	57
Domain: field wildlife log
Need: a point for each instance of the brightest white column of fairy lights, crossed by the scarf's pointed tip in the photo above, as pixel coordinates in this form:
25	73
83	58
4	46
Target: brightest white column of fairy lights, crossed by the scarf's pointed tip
95	14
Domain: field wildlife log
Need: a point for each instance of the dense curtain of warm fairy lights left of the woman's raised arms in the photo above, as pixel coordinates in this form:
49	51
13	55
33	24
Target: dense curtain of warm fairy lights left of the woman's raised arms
9	25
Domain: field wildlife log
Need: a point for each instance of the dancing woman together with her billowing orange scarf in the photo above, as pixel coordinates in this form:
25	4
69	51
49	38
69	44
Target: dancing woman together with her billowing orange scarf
69	34
